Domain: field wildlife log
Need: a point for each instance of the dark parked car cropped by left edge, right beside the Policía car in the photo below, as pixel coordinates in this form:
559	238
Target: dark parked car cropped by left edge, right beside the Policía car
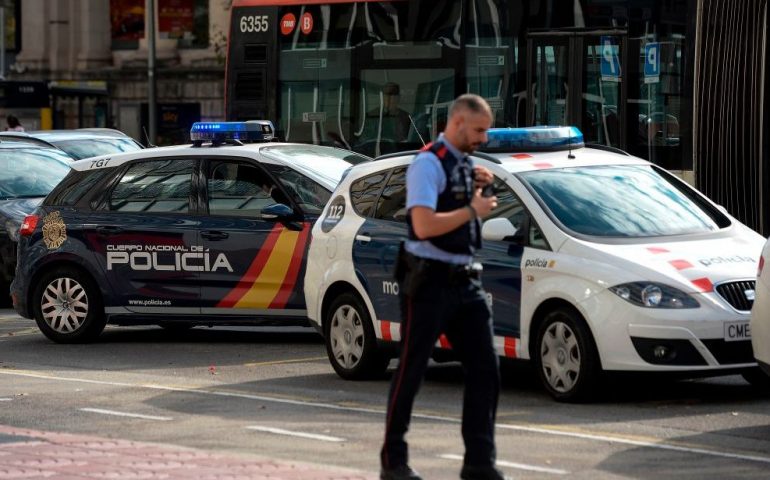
27	173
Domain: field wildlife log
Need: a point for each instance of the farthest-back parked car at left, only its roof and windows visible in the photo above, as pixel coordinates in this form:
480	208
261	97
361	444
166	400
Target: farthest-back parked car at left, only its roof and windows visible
80	143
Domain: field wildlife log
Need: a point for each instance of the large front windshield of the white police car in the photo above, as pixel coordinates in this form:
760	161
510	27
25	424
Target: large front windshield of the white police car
622	201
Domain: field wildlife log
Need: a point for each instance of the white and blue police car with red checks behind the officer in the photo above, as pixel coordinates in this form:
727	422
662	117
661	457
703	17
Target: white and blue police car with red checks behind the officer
594	260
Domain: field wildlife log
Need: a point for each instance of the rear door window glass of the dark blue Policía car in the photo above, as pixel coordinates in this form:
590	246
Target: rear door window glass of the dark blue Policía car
154	186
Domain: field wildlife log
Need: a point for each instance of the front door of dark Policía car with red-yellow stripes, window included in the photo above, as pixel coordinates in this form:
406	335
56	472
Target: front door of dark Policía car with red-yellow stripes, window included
256	242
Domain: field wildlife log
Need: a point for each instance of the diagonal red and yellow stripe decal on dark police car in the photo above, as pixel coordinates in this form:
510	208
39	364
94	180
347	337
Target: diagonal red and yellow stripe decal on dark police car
271	277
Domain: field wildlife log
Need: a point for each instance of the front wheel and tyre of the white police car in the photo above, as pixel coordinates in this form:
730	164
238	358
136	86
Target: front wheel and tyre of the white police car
565	356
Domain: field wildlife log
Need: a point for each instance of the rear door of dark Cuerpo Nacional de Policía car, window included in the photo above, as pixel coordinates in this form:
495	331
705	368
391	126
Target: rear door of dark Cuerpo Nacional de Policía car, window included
146	238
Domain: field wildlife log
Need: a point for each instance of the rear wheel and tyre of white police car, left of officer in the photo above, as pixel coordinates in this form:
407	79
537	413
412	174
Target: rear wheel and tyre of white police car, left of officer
350	341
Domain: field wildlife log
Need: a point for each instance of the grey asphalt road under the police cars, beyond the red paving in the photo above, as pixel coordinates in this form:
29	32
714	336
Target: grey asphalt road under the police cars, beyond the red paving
273	393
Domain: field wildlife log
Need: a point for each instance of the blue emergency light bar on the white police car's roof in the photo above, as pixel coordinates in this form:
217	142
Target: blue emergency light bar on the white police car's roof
532	139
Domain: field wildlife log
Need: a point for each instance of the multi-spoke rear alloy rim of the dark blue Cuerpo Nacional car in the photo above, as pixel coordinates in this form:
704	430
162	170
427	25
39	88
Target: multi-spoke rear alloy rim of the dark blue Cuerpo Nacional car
64	305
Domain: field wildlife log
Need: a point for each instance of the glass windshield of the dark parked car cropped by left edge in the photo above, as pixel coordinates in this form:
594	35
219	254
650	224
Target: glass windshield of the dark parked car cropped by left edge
32	172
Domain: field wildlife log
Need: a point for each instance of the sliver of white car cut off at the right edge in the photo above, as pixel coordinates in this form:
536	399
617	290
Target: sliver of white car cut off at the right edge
760	314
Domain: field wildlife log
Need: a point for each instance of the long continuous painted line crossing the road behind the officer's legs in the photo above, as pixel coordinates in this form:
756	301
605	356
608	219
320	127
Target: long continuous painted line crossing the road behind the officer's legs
601	437
